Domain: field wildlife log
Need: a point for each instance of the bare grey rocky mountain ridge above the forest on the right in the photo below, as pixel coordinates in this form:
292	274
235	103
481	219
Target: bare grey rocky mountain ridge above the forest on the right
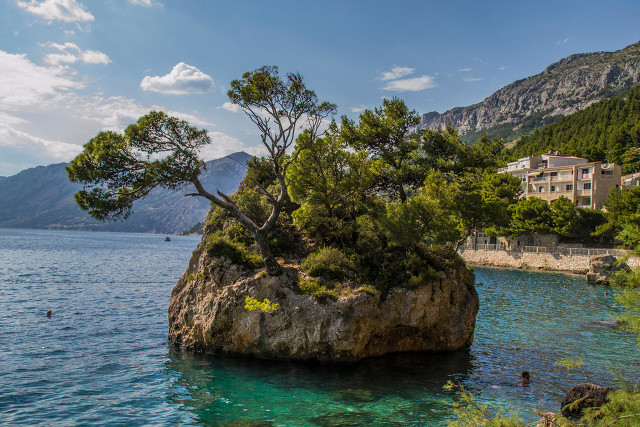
564	87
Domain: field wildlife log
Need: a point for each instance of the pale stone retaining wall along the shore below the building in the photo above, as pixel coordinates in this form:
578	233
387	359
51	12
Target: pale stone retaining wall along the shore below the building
532	261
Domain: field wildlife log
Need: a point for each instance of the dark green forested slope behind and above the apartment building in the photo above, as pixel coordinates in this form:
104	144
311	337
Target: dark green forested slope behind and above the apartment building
607	131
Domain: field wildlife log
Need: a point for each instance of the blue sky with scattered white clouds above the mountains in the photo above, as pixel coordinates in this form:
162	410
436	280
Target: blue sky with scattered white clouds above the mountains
72	68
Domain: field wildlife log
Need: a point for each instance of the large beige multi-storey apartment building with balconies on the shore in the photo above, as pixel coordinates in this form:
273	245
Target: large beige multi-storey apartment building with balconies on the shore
552	175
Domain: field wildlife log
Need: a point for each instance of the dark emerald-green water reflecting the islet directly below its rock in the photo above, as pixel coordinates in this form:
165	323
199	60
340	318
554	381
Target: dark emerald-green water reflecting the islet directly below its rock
395	389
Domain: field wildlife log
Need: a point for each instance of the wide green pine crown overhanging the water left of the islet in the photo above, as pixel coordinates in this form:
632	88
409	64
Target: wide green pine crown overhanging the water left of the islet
116	170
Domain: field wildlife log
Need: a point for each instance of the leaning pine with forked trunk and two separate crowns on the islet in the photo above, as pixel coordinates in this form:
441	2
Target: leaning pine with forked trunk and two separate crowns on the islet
162	151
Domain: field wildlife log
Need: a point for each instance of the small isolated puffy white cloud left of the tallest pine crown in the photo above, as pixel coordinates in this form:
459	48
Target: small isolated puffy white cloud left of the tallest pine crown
182	80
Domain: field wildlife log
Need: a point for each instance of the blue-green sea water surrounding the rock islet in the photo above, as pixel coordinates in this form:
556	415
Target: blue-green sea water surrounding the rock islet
103	357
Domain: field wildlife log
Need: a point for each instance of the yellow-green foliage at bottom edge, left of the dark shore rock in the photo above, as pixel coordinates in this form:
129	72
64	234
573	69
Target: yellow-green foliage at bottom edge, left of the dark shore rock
471	413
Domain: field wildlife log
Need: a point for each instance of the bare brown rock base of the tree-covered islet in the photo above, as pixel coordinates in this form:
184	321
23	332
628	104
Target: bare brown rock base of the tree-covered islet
207	313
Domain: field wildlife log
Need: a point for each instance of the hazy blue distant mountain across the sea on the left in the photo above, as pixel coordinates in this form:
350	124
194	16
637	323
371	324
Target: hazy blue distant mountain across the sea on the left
42	197
